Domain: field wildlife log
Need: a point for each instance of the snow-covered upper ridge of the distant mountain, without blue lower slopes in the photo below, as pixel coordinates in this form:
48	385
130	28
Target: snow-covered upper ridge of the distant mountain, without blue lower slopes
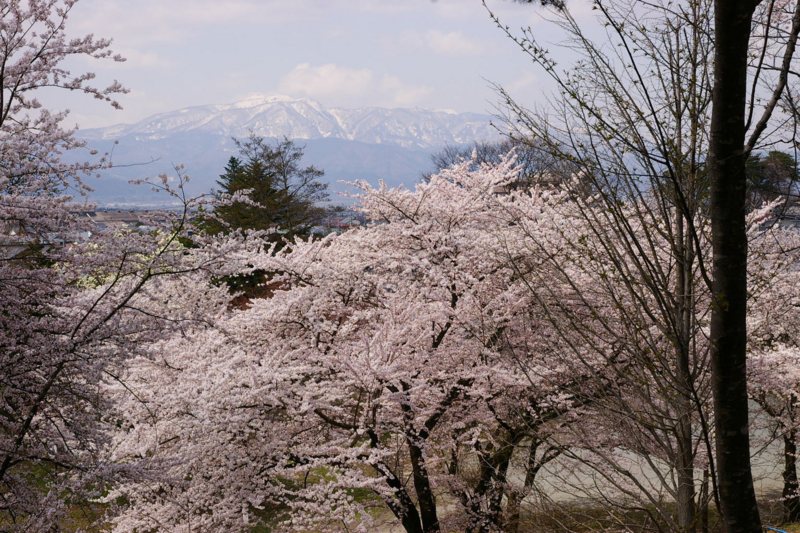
276	116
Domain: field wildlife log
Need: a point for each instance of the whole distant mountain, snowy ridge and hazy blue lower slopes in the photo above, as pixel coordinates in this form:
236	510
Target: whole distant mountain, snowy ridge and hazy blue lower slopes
369	143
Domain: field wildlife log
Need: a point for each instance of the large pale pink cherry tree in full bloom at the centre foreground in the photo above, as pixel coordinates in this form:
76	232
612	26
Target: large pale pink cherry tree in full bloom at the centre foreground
394	358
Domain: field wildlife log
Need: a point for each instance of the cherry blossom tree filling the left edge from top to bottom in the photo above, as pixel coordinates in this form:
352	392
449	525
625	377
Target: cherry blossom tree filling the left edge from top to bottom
75	300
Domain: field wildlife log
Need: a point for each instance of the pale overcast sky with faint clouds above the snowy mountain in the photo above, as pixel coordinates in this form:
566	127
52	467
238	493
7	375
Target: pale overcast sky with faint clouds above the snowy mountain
438	54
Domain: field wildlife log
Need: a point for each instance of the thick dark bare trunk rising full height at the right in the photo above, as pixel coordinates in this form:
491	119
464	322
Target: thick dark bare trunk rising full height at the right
726	168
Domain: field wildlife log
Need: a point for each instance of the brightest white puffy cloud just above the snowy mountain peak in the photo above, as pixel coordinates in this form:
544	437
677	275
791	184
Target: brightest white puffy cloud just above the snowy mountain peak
345	86
